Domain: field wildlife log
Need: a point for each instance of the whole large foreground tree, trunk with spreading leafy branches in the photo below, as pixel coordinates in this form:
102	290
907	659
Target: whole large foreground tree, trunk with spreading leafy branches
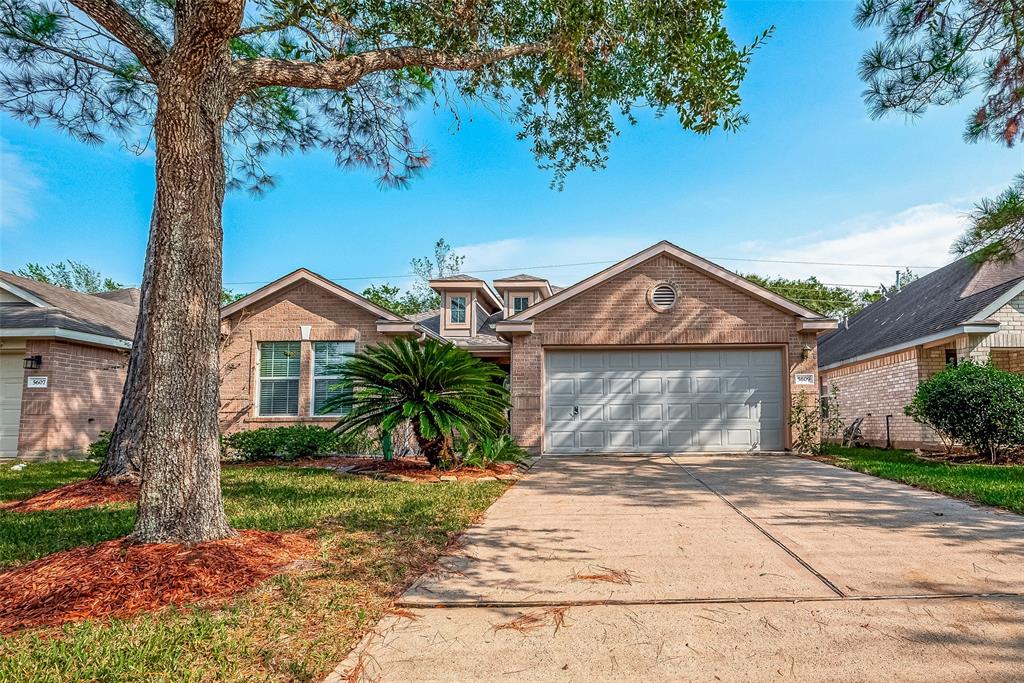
218	86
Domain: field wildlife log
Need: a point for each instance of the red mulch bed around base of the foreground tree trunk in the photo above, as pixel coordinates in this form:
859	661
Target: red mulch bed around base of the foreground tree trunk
114	579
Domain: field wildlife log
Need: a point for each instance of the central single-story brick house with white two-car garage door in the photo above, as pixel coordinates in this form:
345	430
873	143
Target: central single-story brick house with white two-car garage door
664	352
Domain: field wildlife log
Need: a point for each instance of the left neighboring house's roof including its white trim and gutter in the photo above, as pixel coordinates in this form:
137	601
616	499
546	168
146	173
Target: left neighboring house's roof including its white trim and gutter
55	312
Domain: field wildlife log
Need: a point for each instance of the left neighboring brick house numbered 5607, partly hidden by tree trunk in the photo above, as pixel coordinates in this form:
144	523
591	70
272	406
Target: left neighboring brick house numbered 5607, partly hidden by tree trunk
63	362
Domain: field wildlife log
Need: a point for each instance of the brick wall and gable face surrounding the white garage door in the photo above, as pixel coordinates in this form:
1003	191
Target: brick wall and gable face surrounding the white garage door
617	313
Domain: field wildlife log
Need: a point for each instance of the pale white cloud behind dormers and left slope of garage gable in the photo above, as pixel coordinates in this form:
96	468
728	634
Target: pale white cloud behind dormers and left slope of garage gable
575	258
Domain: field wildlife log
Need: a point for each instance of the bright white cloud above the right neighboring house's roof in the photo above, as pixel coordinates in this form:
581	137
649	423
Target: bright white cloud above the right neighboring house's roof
916	238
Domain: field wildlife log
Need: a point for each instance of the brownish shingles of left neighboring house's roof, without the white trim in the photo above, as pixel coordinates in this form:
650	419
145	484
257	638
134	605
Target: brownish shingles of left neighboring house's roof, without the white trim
70	311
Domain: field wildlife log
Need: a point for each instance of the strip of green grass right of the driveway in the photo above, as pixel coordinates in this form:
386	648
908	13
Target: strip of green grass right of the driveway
999	486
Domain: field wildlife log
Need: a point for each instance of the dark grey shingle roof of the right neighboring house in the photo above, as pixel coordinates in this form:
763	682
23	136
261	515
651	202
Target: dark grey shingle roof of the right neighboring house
964	293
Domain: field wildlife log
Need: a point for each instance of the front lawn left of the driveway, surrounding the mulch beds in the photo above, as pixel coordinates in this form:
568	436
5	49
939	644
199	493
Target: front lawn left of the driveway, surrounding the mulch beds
375	537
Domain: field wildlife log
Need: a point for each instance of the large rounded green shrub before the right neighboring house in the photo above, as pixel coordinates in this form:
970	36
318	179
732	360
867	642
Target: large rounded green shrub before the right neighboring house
978	406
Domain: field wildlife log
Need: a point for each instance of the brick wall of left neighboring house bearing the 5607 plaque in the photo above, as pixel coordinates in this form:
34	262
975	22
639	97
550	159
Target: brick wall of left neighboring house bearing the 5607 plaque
81	399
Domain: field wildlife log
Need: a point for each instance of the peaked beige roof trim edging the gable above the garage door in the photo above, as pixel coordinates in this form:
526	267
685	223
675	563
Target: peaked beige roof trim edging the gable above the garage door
691	260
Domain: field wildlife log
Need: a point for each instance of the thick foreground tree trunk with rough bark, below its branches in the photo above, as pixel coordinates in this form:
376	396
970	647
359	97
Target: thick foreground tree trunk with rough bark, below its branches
172	420
